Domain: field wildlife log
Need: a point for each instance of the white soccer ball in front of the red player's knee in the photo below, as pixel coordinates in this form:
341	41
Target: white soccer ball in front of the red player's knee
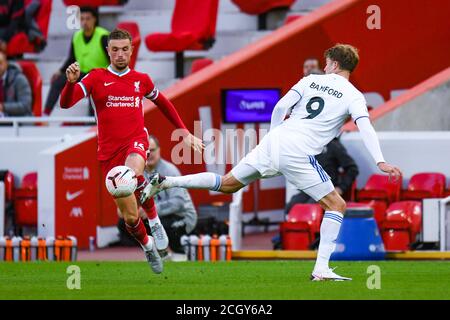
121	181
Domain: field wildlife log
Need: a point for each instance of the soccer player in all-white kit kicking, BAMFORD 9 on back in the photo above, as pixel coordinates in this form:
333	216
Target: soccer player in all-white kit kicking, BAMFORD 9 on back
321	104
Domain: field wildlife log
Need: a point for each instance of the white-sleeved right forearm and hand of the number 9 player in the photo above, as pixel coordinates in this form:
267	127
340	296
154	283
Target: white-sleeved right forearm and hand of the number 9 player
371	142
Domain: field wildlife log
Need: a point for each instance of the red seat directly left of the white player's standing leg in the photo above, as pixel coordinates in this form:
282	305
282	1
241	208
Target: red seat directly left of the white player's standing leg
301	227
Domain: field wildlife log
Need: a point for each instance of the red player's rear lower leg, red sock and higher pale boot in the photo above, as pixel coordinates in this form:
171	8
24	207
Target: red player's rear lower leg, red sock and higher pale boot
156	227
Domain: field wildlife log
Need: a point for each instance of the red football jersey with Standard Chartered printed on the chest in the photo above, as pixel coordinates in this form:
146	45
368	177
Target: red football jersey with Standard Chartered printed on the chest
117	101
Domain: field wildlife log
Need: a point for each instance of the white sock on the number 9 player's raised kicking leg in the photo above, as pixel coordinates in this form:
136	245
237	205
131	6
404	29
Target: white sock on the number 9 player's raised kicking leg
204	180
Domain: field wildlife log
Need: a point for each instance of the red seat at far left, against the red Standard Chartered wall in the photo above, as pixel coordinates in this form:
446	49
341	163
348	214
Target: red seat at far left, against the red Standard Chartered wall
25	201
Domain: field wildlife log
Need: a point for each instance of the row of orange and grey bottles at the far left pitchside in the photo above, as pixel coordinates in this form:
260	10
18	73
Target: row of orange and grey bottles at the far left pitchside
18	249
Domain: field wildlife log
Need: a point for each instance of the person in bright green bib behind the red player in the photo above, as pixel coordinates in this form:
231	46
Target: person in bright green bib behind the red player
88	48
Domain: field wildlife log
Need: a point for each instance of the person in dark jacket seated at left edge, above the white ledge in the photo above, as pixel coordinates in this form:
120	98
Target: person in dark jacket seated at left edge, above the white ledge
15	91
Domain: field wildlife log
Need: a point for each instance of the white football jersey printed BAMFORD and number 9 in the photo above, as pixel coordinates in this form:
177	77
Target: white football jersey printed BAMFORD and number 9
325	103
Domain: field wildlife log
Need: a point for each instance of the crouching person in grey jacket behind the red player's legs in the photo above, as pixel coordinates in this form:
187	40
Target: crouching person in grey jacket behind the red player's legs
174	206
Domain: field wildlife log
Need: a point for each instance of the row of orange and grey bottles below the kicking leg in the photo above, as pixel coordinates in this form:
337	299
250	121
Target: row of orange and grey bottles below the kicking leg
207	248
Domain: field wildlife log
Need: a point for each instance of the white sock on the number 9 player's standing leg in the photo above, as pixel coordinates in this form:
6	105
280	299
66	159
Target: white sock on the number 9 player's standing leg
329	231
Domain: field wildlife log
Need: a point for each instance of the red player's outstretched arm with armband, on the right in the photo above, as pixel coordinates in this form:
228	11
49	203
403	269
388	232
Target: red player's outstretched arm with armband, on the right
169	110
